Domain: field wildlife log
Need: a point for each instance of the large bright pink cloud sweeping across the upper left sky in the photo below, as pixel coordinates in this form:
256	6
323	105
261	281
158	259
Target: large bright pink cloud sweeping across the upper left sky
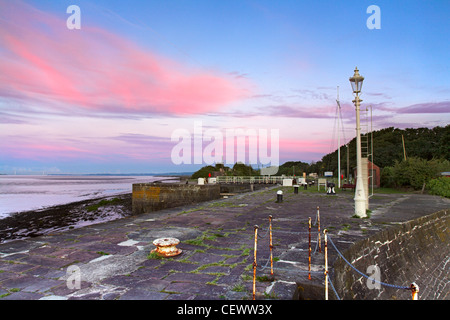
97	70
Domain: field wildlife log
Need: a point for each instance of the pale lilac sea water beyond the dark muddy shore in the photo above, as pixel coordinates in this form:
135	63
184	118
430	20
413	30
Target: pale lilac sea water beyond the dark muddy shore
23	193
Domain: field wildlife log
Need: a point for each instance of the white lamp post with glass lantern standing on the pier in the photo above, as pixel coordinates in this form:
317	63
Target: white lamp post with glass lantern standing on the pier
360	197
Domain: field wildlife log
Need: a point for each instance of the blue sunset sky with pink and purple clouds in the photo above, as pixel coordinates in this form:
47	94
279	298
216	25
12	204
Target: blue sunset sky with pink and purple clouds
158	86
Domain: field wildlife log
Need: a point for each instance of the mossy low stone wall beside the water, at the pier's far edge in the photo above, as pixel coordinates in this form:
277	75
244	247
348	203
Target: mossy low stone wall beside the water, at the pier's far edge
148	197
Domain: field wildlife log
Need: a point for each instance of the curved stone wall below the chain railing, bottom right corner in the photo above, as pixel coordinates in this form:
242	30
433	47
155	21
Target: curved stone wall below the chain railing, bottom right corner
416	251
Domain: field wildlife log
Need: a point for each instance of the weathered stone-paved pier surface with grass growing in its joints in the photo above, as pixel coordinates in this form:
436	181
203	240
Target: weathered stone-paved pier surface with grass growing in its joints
113	260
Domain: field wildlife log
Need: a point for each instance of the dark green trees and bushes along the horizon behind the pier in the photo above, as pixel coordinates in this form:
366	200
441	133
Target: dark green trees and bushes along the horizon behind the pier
408	158
